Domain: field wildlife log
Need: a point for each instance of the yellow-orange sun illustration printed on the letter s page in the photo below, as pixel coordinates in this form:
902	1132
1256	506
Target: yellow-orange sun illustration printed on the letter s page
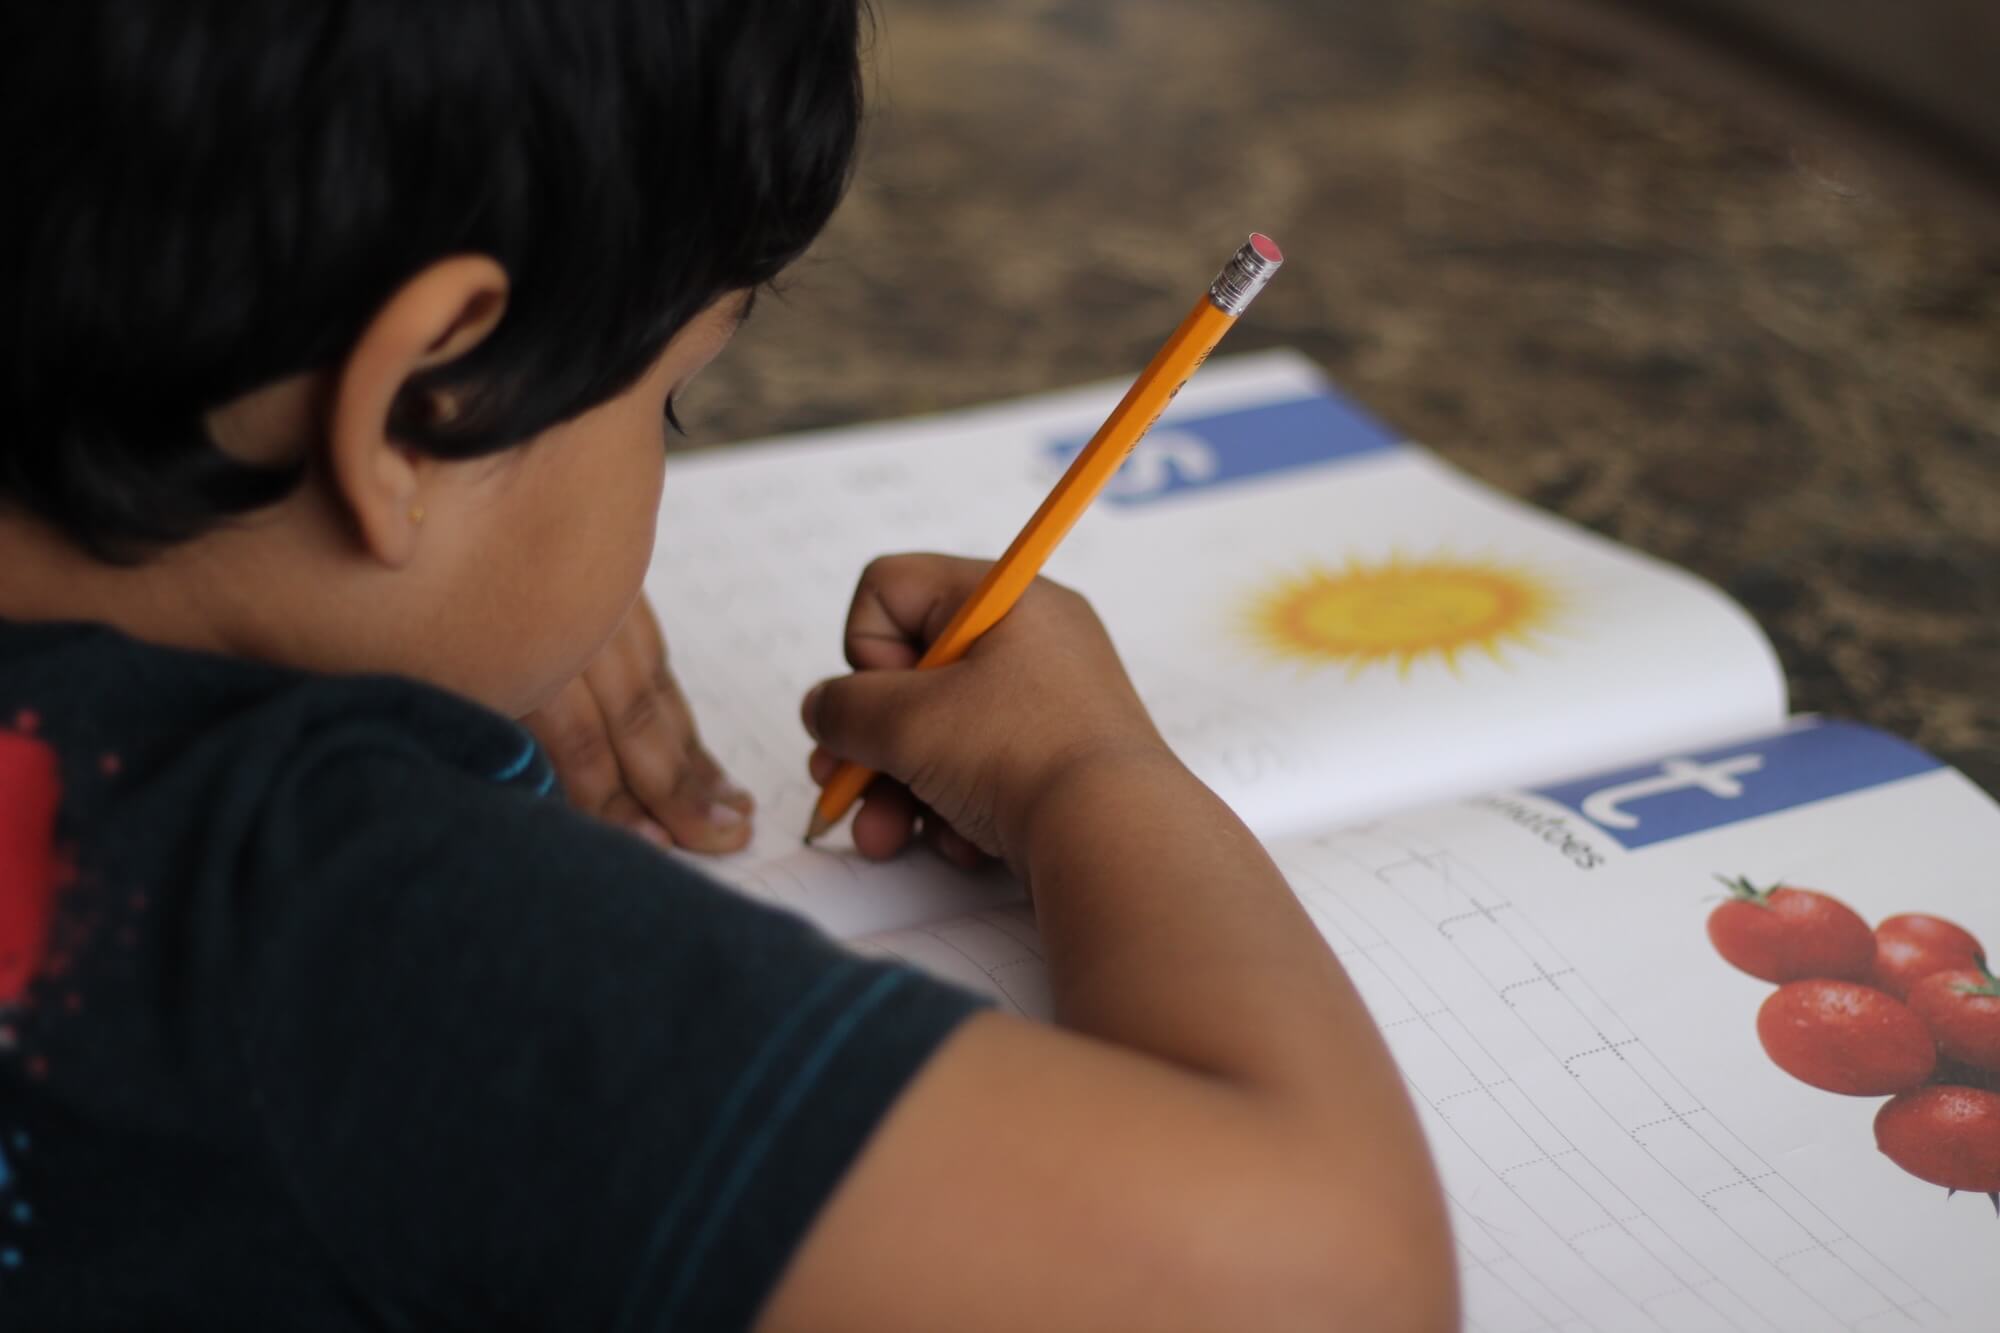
1403	611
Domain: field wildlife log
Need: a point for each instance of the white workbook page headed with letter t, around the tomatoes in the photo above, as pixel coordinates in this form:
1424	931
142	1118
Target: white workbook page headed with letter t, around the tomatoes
1617	1148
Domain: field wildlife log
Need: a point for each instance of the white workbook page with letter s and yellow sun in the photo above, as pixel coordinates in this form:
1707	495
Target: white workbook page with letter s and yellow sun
761	547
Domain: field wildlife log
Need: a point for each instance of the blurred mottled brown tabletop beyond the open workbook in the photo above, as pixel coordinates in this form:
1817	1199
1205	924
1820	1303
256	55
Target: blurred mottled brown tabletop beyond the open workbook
1719	279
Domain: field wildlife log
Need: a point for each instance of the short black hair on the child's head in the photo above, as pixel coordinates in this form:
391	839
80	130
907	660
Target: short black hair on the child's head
207	197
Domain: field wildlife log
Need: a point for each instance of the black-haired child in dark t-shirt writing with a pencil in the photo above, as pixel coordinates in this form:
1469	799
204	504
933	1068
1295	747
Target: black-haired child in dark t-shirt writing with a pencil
339	343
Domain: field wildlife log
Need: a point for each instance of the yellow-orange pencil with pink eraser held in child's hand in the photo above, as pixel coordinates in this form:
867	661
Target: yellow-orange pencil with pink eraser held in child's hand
1213	315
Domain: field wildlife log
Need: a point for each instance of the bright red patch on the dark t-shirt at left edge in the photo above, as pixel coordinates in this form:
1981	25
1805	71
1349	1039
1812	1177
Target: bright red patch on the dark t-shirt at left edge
31	872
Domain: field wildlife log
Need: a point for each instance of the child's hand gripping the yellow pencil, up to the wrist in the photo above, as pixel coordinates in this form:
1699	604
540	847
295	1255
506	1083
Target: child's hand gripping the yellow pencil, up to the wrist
969	750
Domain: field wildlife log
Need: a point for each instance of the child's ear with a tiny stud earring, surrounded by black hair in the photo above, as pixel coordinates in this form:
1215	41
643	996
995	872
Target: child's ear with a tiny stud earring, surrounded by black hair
439	315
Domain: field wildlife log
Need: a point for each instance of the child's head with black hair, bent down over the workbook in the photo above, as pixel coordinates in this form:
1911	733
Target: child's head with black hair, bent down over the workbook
289	287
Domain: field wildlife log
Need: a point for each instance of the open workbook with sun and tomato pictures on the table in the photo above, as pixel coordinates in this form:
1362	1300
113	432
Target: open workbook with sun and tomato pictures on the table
1505	766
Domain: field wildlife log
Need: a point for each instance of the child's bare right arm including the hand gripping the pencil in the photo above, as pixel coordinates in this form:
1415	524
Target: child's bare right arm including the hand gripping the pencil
1219	1138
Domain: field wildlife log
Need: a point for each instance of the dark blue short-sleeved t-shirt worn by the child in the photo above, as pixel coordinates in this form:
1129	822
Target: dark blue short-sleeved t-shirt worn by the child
319	1010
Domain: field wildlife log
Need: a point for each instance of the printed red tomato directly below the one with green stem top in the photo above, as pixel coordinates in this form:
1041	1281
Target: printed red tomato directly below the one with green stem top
1845	1038
